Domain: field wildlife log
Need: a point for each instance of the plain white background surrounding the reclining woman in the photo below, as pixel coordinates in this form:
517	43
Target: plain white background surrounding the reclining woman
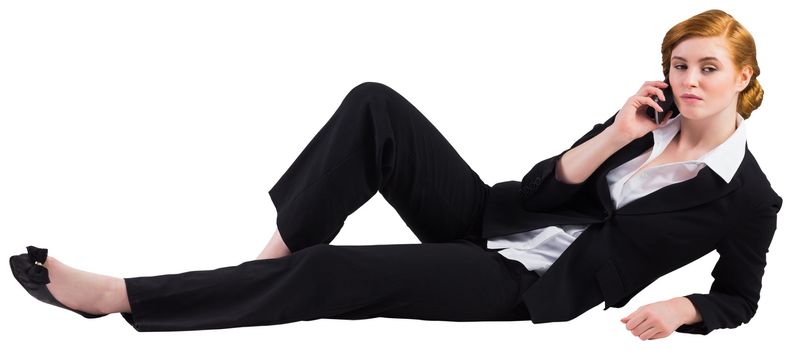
141	138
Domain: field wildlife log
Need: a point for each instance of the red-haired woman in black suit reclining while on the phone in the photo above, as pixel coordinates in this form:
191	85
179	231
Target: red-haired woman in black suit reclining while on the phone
630	201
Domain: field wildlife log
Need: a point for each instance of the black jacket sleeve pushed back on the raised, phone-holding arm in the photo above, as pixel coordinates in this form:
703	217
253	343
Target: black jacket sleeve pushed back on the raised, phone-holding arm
540	190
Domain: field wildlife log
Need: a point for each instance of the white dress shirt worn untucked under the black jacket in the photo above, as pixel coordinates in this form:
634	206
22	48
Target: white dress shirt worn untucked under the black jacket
538	249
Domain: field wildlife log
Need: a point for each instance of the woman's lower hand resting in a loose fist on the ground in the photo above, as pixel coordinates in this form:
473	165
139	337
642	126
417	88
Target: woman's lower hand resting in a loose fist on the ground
656	320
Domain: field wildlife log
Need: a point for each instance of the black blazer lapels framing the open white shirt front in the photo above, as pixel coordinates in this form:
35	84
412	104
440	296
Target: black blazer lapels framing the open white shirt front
704	187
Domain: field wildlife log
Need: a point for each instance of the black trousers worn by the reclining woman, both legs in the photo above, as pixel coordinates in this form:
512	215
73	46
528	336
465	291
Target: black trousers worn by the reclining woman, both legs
375	141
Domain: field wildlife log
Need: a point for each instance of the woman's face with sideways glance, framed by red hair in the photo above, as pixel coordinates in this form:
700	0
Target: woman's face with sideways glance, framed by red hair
703	67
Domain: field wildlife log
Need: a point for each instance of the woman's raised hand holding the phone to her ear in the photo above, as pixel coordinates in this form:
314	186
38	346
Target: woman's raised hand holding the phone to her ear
631	122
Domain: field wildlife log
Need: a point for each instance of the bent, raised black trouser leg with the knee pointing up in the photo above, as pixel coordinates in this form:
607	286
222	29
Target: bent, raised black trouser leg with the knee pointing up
378	141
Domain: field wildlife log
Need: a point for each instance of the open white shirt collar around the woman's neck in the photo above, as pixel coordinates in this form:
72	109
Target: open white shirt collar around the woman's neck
724	159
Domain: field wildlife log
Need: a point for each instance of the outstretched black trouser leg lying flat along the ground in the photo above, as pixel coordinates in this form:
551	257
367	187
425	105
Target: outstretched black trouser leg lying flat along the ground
454	281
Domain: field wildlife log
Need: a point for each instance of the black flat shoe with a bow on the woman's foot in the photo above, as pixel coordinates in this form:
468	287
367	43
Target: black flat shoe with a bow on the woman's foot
29	270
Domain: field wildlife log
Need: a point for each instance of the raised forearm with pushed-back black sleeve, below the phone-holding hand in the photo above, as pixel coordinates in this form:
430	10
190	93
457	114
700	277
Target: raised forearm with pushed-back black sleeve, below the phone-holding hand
554	180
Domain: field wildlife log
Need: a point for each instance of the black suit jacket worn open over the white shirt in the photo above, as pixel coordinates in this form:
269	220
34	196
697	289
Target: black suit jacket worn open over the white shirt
623	251
